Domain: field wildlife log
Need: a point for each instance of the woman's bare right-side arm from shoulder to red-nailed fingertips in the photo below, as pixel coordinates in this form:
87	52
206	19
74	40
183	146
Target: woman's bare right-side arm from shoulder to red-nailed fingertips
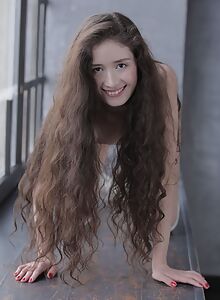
160	269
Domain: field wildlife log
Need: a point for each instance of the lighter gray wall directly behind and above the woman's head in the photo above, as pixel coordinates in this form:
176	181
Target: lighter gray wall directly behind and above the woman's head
162	24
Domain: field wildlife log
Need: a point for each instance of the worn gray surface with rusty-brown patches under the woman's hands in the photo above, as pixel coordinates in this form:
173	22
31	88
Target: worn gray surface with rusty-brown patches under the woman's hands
109	275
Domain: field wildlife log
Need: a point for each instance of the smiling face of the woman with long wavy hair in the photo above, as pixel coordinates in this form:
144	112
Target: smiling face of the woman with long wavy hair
115	72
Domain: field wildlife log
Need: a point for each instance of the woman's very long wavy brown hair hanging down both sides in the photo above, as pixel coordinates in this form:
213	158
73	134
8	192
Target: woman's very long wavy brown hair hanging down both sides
59	191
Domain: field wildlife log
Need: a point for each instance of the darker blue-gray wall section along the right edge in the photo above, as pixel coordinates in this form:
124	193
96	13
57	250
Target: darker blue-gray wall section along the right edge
201	129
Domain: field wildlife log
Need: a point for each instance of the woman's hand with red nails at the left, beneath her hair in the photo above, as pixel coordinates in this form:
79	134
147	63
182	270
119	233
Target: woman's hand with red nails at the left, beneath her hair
30	271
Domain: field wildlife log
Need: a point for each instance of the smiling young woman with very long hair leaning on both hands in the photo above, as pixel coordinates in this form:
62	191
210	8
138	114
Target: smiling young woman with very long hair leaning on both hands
111	92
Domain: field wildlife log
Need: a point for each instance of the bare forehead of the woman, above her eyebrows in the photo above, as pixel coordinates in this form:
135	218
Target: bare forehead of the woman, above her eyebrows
110	51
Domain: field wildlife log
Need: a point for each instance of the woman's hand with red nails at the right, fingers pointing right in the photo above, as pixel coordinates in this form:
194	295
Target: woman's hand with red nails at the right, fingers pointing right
171	276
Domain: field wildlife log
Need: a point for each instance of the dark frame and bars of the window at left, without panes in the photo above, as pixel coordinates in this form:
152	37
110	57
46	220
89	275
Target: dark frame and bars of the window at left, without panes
9	181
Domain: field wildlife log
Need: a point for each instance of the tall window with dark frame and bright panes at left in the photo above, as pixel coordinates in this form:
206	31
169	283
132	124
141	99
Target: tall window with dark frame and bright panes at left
22	28
